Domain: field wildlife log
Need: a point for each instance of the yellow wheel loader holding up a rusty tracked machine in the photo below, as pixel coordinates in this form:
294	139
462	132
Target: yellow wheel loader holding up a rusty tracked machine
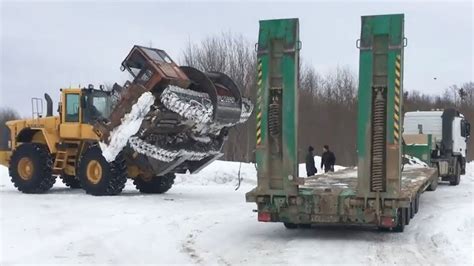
64	145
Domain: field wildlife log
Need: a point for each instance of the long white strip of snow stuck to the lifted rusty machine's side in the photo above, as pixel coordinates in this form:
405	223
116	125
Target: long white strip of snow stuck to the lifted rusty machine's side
129	127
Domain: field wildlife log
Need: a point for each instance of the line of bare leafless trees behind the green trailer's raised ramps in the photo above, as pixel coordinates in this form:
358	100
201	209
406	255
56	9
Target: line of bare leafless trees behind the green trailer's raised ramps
327	103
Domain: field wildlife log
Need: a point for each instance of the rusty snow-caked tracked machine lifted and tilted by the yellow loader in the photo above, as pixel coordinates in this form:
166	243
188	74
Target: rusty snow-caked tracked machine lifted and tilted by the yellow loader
189	119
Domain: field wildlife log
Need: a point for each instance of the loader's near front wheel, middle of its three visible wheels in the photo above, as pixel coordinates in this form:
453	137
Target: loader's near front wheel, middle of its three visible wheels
99	177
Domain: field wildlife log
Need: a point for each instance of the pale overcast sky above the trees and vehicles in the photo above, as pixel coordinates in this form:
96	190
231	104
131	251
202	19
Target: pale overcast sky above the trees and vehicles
46	46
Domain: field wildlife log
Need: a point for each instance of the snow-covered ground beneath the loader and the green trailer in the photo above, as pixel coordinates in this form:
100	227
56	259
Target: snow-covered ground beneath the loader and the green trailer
205	221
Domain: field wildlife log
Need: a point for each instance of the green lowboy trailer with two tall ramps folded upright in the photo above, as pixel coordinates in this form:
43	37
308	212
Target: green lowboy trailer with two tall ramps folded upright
378	192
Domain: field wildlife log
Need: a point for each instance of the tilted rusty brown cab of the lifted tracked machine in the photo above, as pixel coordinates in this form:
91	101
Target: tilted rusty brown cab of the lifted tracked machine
153	68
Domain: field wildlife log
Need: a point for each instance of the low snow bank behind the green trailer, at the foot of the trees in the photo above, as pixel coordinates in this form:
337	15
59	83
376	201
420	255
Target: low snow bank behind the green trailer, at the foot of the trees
225	172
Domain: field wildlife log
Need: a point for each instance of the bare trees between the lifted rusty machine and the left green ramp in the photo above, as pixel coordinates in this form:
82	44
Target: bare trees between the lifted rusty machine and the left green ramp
233	55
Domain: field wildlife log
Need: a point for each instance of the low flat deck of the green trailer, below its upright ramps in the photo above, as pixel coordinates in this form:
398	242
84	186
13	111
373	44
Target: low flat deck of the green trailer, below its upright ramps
332	198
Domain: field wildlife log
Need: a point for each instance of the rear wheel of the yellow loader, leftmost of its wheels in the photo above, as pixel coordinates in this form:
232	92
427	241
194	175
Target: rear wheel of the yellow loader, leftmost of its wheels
31	168
